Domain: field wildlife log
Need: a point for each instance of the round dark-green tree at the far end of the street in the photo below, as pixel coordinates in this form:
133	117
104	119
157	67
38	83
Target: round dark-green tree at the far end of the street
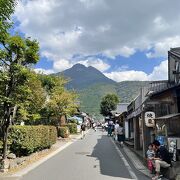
108	104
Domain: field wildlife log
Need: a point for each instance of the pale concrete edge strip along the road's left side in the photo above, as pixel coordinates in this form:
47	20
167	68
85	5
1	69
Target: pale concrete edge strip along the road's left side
39	162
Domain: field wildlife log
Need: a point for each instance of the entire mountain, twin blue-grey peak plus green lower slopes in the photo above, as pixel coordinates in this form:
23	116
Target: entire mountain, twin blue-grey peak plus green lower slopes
92	85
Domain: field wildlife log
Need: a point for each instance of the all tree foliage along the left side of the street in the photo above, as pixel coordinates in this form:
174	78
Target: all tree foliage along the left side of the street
24	94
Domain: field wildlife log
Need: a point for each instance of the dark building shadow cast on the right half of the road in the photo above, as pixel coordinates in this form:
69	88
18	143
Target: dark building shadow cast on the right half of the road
110	162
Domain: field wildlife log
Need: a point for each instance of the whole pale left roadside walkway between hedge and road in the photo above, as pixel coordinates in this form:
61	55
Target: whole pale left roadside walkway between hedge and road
56	148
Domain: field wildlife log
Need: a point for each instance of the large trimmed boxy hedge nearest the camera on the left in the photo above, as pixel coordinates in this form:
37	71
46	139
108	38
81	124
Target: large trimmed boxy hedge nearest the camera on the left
25	140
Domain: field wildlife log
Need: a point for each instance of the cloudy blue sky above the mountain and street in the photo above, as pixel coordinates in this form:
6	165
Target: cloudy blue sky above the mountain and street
125	40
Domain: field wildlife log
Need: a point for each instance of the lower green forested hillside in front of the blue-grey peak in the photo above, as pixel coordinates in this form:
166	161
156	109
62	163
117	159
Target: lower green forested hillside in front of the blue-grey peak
91	97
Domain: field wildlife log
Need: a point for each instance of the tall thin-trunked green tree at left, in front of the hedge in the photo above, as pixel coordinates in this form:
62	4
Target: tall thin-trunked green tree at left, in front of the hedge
16	55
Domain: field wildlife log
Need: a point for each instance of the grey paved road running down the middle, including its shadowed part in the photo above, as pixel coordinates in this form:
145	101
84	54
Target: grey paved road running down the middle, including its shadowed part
93	158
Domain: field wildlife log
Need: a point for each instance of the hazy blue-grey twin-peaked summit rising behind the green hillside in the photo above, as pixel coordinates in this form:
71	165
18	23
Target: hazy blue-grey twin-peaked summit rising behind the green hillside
81	76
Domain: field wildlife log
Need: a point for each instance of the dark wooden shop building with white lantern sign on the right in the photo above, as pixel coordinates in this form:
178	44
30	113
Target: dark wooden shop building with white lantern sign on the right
155	112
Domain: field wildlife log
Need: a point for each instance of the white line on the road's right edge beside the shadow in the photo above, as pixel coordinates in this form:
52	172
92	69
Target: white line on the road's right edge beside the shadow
133	175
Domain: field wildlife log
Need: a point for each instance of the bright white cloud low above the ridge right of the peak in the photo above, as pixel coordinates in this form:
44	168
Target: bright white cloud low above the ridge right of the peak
159	73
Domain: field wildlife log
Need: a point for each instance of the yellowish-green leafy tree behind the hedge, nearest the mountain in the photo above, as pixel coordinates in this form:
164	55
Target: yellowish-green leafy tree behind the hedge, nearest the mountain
59	100
